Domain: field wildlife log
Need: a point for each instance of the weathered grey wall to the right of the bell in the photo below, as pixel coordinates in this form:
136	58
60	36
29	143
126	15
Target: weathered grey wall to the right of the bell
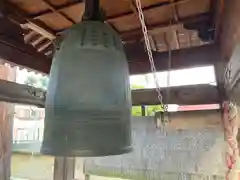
159	154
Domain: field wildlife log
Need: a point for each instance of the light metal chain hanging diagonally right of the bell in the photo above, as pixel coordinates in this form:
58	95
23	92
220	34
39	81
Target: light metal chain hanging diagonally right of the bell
149	51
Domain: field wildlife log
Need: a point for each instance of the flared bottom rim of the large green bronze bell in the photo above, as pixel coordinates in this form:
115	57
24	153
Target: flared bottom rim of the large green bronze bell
86	153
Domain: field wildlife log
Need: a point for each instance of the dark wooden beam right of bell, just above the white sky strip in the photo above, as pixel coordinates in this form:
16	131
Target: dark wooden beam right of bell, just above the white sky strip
183	58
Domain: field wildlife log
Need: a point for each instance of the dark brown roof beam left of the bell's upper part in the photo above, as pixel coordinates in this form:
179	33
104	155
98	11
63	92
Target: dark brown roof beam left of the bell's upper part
14	49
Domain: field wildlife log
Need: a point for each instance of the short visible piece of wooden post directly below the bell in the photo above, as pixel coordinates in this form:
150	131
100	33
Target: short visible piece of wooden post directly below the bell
64	168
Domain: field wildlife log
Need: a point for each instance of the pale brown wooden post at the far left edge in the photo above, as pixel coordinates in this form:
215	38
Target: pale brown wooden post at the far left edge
6	119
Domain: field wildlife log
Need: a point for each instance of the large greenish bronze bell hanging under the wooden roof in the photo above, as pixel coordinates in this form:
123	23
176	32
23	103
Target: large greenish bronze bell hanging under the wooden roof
88	99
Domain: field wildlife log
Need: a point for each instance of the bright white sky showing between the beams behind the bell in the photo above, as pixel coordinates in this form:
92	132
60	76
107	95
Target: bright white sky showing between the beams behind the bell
190	76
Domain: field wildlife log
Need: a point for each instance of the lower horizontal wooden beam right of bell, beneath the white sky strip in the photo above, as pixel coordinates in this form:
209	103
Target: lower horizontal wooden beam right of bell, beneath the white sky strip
181	95
